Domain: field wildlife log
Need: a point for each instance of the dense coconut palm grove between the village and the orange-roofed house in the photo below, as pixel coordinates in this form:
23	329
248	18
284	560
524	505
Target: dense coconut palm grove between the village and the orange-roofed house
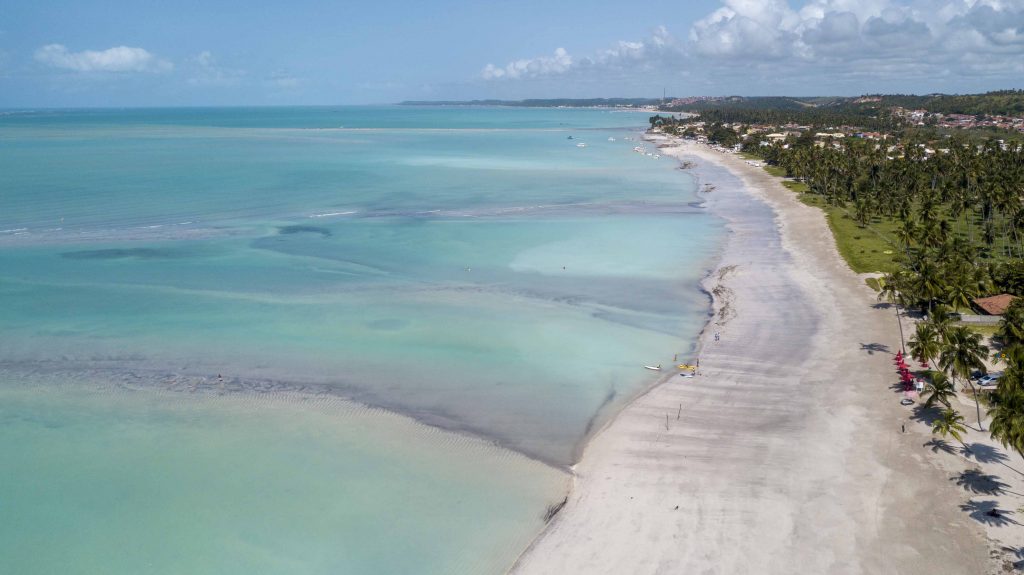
959	214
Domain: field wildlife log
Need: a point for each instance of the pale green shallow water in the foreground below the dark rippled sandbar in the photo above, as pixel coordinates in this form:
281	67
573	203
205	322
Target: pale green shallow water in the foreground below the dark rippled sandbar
109	482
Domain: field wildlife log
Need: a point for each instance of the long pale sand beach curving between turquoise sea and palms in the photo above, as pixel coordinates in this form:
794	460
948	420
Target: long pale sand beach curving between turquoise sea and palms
786	455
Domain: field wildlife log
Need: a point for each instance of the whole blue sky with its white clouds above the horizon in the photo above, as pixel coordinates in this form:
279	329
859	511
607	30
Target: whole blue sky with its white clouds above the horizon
144	53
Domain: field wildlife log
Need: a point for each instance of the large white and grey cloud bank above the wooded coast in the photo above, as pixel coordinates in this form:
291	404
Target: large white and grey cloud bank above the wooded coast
848	42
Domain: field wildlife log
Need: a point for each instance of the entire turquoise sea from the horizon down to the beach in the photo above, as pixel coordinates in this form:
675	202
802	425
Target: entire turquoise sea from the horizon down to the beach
190	296
